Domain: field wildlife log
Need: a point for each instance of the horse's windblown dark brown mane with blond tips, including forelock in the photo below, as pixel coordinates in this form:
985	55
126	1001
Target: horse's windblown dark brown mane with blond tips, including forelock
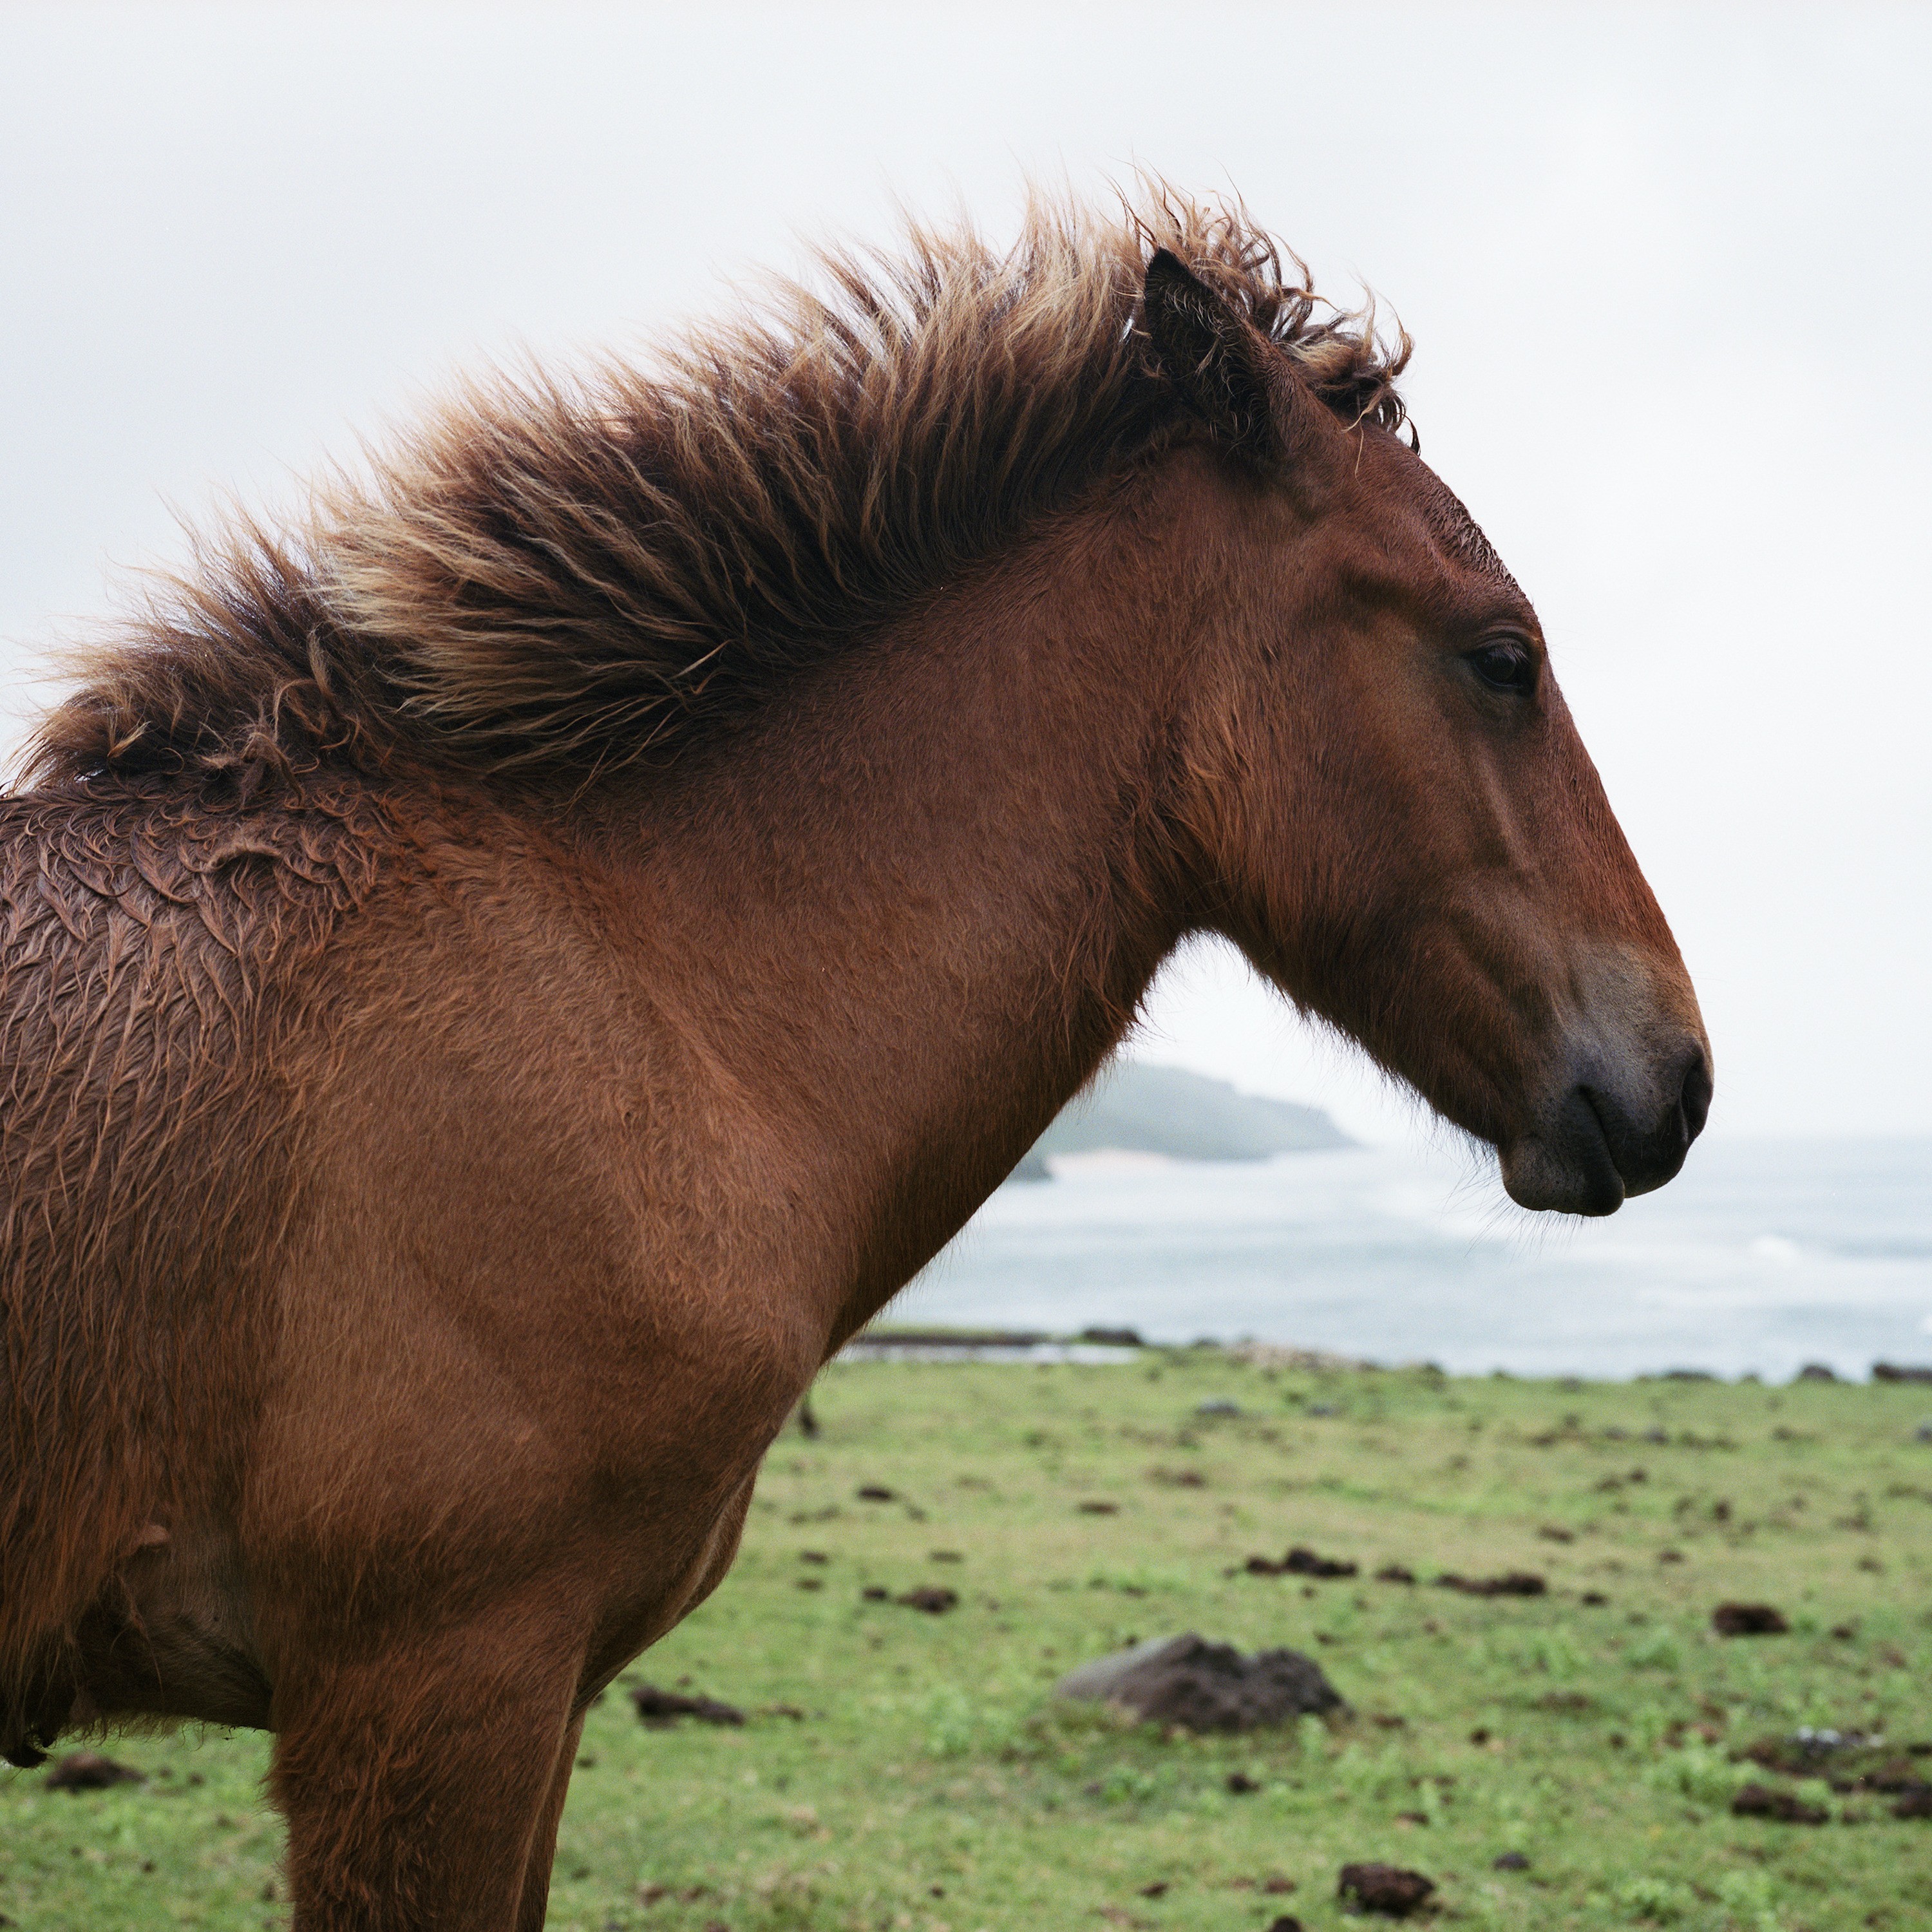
567	575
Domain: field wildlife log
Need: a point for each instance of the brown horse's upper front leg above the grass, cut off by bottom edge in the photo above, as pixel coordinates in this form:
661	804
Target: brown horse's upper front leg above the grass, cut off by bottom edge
422	1780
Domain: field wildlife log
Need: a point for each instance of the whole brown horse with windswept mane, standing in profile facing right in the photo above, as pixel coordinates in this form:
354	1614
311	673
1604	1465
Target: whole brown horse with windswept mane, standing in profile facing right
499	986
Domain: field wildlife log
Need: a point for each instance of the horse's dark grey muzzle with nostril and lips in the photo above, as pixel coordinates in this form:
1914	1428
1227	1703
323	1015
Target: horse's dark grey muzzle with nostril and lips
1618	1127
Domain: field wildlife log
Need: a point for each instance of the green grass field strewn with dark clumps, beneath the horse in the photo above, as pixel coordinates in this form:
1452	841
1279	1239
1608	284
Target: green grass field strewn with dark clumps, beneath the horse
911	1773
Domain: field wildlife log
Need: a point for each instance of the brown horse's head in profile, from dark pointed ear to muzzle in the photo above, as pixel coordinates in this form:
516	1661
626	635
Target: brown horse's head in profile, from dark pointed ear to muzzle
1392	810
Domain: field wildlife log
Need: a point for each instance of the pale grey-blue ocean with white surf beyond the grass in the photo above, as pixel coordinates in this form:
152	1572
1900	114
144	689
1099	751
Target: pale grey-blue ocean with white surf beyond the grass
1763	1257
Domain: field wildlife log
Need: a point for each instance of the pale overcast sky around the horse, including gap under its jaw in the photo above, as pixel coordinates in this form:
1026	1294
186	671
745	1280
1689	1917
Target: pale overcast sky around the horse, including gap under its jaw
1668	275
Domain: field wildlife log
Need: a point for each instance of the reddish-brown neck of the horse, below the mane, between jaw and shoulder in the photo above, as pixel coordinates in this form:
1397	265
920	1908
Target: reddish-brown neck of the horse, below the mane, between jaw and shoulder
915	911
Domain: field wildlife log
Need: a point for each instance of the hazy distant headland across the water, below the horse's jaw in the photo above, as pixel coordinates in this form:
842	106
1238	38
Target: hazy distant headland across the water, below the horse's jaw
1162	1110
